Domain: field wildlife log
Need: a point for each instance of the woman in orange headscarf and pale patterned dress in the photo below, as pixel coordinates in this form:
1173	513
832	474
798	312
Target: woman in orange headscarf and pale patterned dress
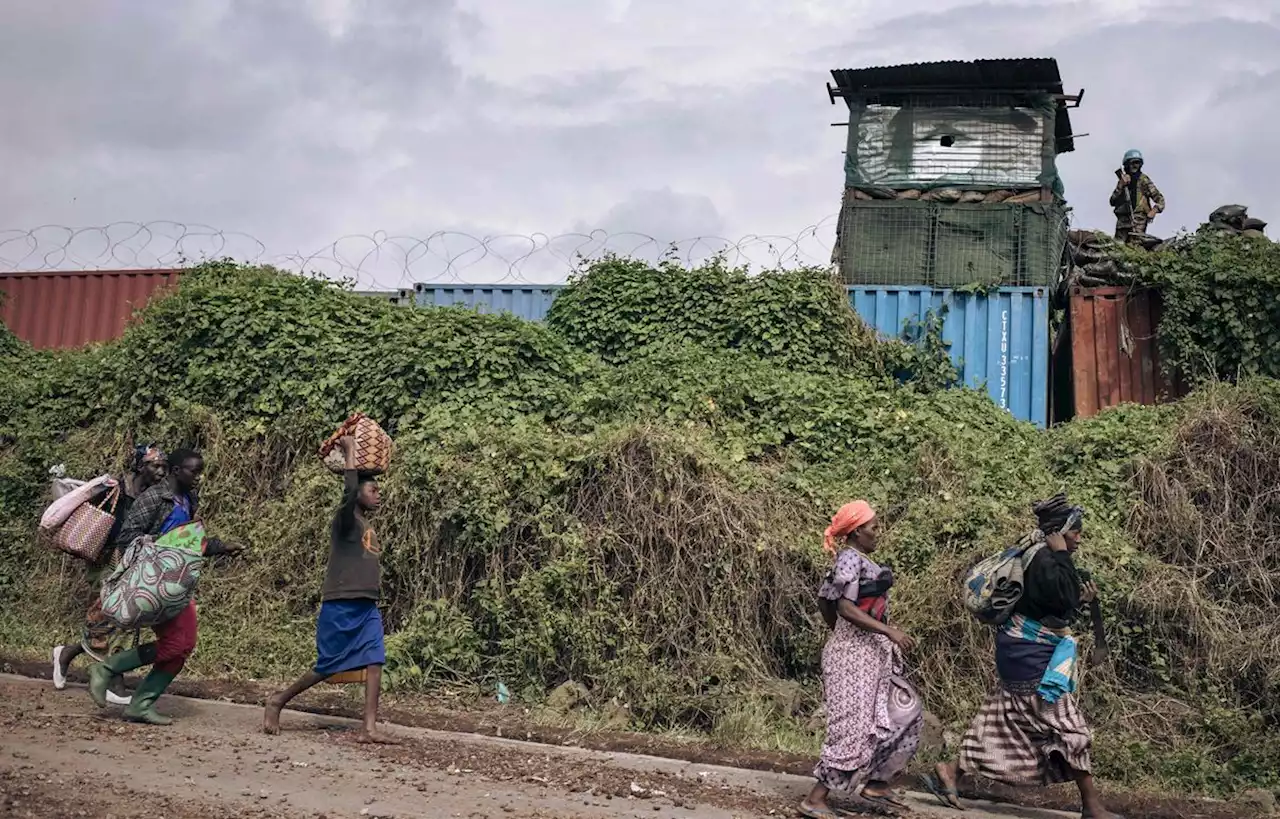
874	715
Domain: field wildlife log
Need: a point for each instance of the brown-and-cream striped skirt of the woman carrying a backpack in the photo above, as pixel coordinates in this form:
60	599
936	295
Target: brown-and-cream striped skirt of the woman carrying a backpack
1022	740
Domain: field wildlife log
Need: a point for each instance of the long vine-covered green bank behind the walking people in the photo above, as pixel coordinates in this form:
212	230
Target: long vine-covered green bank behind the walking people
632	497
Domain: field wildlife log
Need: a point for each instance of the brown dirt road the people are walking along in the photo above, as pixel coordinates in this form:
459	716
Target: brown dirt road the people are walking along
62	757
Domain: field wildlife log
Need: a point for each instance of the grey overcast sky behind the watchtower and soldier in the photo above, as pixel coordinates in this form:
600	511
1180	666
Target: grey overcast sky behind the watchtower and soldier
666	118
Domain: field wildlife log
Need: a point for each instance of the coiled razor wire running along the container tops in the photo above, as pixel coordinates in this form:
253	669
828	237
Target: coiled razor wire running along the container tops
387	262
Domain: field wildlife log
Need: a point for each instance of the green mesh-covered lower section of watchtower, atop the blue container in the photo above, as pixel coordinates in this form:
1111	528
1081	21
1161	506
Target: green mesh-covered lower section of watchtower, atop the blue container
950	246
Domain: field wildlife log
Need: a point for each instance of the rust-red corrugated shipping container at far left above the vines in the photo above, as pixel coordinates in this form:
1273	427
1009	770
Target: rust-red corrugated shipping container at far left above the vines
71	309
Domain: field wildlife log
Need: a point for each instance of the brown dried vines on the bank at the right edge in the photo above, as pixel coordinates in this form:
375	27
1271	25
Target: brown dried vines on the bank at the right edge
1212	514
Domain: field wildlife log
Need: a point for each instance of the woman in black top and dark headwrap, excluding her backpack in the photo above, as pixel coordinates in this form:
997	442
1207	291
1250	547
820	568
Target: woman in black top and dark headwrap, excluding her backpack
1030	730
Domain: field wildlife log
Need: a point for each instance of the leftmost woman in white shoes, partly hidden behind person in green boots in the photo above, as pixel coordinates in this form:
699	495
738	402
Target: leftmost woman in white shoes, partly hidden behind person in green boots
100	638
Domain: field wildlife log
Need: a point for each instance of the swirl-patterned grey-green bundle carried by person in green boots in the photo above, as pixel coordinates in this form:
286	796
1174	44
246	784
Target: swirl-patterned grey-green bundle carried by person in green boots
156	579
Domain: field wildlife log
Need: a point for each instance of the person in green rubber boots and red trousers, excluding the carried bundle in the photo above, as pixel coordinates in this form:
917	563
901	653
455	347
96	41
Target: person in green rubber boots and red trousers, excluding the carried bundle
159	511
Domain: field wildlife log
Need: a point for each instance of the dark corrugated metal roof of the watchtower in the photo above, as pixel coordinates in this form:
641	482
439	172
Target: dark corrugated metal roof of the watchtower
1031	75
